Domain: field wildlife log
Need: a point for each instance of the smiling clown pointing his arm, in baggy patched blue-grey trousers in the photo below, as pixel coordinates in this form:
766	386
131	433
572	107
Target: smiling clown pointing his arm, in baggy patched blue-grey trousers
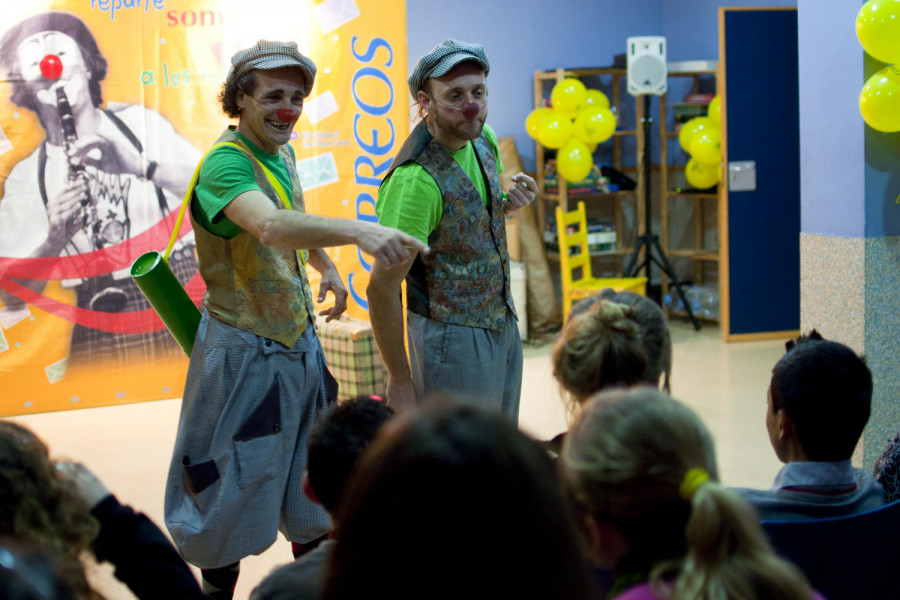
257	376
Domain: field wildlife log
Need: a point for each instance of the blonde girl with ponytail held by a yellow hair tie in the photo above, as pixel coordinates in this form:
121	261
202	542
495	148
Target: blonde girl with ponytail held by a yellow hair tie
641	469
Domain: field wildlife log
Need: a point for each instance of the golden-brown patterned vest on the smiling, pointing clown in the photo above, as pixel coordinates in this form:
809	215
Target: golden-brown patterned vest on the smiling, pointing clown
256	288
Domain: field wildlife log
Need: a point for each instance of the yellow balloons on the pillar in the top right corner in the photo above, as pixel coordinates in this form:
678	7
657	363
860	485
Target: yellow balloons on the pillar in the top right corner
878	30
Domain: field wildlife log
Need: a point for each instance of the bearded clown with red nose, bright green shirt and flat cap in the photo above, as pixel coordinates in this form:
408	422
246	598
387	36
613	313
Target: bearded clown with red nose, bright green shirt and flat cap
444	189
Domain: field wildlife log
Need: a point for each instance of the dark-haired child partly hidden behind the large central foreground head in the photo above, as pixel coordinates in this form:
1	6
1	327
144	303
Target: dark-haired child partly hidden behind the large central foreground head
336	443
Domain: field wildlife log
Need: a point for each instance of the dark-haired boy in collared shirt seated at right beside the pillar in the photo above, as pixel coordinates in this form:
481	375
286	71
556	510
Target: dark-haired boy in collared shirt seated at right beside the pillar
819	403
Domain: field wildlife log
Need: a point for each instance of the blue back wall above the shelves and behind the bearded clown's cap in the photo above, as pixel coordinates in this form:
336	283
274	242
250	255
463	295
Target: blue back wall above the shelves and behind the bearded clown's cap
522	36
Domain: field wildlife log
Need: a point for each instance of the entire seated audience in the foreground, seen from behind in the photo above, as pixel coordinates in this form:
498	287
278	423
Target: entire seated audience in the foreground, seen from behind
449	501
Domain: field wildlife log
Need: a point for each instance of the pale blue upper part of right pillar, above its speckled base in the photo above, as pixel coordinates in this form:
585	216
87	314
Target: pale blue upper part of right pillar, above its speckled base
838	197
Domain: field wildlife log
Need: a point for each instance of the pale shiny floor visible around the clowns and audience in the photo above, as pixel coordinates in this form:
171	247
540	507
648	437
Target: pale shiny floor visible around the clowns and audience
129	446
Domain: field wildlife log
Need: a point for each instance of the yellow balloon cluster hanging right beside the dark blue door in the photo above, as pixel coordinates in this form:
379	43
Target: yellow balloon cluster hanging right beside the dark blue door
701	137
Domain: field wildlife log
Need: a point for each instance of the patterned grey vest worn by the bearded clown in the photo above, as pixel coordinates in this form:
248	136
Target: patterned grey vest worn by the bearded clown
464	280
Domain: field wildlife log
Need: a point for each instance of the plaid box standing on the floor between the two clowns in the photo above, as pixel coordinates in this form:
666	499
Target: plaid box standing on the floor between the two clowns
352	356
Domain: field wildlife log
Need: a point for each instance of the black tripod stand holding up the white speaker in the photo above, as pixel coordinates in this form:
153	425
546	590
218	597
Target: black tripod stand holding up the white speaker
649	242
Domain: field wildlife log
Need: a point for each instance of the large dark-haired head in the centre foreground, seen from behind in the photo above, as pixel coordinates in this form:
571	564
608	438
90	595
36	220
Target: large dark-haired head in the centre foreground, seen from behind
463	501
